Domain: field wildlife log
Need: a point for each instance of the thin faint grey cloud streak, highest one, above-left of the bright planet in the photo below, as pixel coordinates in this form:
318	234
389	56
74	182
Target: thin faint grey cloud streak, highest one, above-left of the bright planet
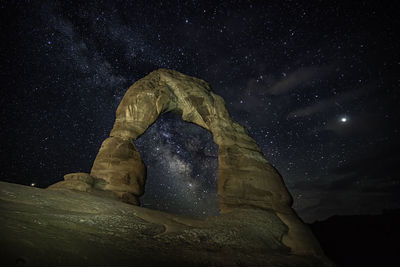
297	78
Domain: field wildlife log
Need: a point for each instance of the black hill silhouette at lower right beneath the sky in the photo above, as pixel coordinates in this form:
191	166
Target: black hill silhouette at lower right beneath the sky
361	240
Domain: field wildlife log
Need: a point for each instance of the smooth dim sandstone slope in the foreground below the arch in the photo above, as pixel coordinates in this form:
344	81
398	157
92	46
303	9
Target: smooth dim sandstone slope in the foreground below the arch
66	228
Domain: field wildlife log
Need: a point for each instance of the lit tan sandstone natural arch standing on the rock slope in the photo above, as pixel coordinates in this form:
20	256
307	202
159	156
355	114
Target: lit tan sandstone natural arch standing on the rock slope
246	180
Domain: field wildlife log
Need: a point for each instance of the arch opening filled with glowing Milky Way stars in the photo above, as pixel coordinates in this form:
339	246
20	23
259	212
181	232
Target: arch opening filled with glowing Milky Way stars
182	162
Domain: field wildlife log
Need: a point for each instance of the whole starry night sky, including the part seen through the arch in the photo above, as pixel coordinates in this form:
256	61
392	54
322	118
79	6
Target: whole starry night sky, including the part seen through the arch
316	83
